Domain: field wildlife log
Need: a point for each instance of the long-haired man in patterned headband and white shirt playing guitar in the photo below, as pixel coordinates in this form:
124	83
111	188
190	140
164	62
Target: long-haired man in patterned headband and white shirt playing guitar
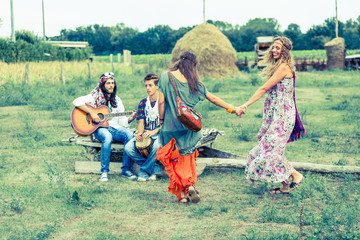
105	94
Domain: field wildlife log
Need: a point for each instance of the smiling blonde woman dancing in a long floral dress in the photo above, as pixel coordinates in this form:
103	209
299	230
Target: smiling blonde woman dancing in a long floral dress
281	122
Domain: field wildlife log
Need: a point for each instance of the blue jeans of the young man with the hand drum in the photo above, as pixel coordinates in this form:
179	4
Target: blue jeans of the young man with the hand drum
148	166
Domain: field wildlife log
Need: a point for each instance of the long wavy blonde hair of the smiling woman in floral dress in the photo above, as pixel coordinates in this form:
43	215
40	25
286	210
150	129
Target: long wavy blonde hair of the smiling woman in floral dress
285	57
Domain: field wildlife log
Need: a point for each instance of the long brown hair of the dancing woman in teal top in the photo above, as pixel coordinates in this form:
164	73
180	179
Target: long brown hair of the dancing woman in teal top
187	66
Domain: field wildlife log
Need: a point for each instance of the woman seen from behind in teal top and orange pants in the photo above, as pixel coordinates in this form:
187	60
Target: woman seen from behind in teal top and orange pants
177	143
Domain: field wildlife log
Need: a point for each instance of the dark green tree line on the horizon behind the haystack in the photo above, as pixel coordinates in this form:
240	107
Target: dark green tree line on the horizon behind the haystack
162	38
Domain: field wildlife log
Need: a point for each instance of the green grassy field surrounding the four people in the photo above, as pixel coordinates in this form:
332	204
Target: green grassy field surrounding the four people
38	194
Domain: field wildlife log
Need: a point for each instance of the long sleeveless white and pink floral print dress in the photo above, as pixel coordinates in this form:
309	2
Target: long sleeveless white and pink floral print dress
266	161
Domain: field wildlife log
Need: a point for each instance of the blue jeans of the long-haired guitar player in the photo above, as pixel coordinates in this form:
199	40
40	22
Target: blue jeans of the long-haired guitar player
106	136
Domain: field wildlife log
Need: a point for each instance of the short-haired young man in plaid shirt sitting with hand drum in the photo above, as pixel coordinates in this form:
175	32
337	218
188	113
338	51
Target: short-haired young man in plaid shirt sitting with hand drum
147	137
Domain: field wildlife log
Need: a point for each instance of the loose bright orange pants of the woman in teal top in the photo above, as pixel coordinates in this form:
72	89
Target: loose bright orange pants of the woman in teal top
180	168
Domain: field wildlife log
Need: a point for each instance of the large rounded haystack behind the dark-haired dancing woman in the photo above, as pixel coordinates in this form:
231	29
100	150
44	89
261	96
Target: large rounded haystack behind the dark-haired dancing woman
215	54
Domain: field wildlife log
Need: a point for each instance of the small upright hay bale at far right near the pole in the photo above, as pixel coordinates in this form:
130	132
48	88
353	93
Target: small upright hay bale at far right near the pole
335	51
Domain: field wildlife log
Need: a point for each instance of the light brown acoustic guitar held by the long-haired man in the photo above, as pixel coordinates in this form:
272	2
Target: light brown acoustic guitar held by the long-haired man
83	124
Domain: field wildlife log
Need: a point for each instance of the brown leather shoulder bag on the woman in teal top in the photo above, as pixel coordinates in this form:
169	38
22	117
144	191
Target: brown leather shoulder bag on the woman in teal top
187	116
